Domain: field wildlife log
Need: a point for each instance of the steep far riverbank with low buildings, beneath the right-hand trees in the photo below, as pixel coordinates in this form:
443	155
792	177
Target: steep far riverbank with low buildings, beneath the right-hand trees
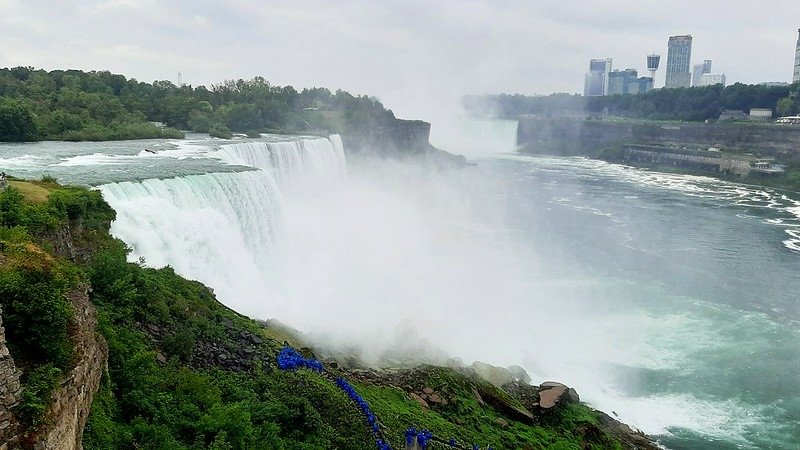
751	153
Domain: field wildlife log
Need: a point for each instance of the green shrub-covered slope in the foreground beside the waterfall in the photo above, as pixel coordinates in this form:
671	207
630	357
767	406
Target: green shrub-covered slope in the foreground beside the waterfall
186	372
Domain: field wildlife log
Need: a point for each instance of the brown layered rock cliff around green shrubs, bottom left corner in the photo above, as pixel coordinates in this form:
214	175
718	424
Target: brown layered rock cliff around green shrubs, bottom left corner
70	404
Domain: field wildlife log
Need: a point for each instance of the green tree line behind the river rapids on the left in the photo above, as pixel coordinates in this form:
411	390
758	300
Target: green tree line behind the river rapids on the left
75	105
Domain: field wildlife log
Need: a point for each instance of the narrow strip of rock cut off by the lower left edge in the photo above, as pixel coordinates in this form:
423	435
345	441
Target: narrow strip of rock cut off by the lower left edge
9	395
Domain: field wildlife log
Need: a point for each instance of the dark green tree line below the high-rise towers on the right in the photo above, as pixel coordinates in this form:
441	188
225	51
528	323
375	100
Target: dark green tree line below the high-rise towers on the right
685	104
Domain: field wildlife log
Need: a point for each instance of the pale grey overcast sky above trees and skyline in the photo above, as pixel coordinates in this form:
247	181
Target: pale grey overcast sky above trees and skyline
417	56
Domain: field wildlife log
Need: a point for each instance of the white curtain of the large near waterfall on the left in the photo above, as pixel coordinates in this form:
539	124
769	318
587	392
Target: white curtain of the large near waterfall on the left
200	224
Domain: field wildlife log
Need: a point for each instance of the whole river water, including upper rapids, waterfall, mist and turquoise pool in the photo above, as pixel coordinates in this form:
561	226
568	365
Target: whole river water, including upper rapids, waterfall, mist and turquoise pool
668	300
